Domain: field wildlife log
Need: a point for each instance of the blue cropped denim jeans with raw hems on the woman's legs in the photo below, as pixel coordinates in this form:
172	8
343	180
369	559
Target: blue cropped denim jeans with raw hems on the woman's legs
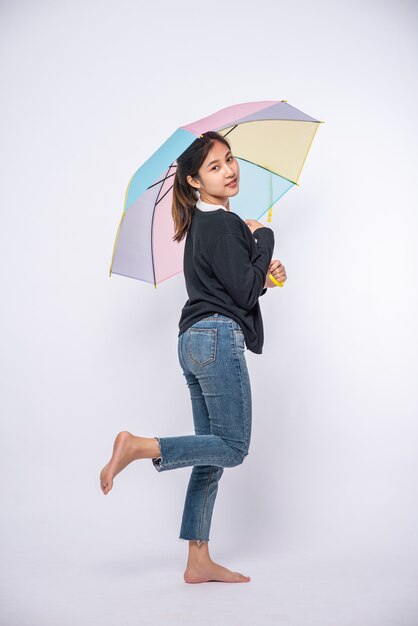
212	355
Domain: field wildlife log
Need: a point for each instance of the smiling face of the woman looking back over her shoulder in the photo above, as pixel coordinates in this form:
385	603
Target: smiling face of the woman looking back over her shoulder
219	168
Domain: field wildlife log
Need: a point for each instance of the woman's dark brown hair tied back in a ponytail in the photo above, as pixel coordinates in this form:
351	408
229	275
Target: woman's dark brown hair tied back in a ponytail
184	195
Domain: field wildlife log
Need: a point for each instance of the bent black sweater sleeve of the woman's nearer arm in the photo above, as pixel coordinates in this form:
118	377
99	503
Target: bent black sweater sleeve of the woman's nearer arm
241	277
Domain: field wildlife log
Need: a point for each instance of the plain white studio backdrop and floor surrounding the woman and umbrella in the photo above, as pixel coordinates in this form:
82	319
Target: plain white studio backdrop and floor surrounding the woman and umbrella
323	512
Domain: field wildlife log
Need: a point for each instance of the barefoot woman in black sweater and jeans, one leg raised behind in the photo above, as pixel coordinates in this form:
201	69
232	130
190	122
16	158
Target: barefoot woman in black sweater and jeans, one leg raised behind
226	261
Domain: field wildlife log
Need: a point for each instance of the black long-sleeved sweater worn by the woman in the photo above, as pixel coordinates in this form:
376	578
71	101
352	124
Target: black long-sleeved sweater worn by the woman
225	270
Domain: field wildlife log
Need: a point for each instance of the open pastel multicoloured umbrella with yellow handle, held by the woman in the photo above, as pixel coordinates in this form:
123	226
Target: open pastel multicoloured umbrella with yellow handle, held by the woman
270	139
